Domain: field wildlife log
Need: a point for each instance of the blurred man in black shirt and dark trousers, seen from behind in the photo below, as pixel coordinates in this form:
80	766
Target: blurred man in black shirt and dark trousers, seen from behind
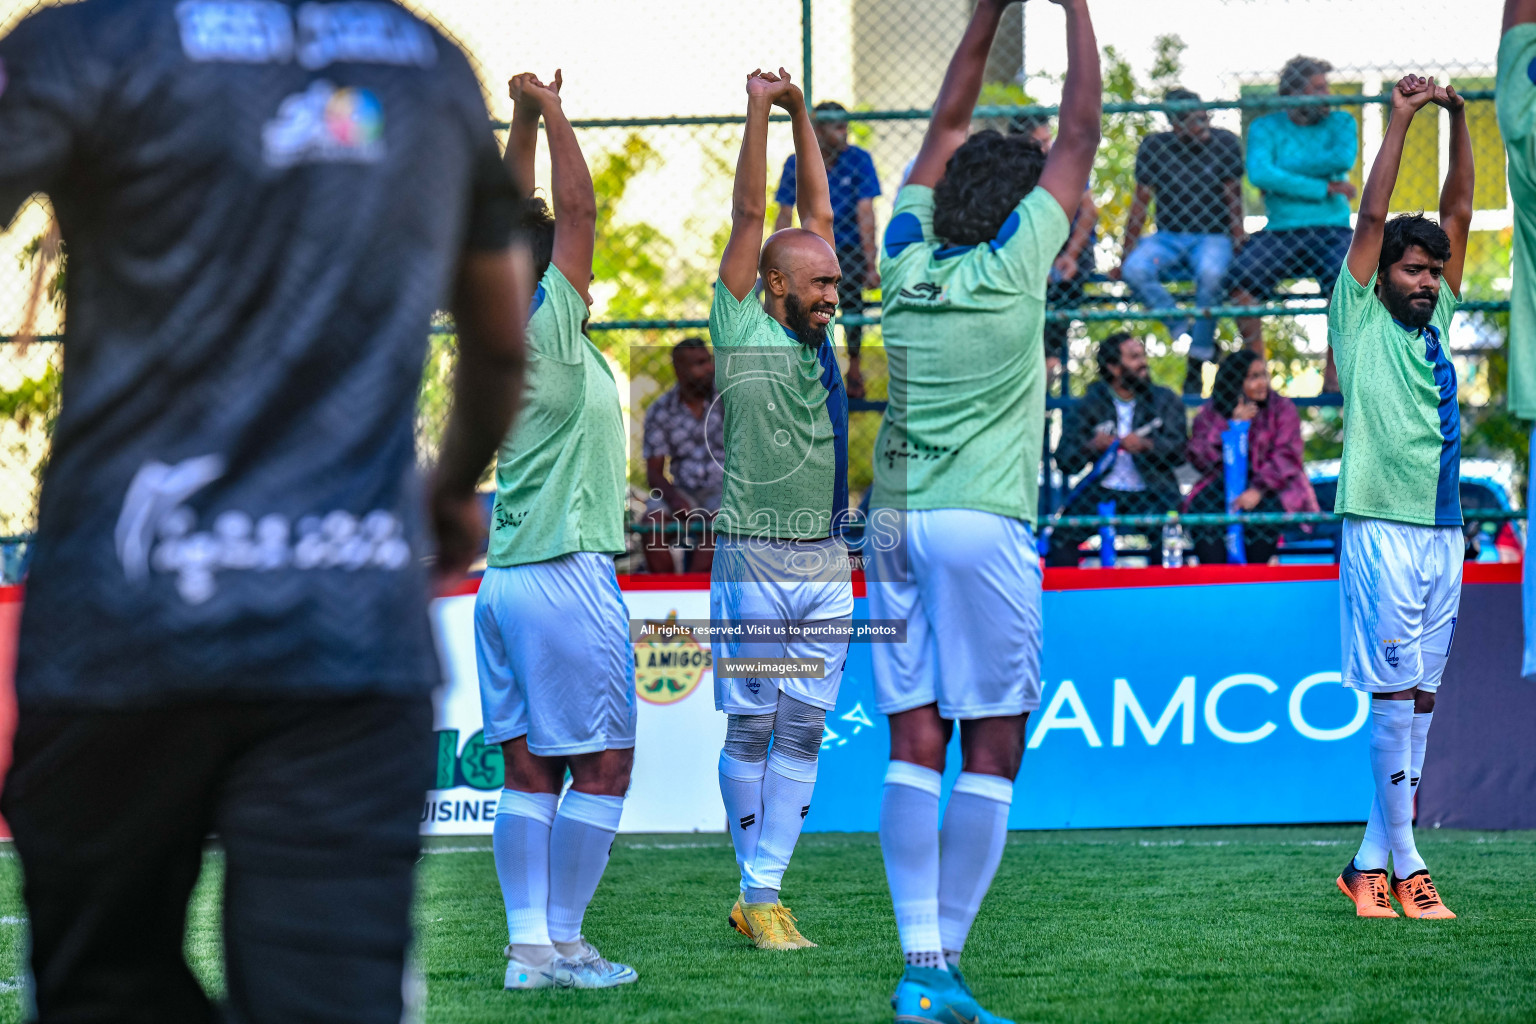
227	618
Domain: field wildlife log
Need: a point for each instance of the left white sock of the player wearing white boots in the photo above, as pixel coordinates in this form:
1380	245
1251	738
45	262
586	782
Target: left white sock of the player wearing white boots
521	848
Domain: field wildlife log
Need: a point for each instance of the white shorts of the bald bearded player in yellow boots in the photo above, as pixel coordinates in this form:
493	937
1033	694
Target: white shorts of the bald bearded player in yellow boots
780	583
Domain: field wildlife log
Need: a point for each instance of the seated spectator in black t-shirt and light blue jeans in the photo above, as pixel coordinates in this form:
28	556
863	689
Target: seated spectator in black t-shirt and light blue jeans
1196	177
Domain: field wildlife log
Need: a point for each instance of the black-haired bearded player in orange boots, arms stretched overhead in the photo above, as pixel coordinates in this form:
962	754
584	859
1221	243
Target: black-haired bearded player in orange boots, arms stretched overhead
1400	487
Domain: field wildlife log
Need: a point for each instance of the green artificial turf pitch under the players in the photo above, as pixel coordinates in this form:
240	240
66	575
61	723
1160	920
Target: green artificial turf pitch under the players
1159	925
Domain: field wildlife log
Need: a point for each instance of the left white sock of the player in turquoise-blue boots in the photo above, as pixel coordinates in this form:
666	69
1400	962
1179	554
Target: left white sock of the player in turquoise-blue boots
910	847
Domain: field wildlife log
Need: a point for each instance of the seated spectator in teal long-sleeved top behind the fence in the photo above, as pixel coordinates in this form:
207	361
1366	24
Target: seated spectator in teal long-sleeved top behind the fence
1302	160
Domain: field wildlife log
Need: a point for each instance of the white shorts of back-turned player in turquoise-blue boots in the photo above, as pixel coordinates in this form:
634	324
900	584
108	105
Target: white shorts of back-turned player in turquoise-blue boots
968	586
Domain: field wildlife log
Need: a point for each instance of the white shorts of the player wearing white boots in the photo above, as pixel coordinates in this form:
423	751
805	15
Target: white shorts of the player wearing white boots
552	641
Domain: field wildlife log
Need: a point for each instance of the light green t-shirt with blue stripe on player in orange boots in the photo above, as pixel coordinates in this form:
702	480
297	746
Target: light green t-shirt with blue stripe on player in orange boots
1402	420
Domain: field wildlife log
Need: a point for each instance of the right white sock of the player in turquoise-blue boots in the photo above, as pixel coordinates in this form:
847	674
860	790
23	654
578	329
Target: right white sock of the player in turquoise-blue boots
972	848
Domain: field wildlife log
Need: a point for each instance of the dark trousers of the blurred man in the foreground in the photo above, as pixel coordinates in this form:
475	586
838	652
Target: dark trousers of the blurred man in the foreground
317	807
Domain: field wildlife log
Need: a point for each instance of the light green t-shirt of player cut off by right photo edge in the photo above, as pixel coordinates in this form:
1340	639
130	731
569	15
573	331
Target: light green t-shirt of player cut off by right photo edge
1517	107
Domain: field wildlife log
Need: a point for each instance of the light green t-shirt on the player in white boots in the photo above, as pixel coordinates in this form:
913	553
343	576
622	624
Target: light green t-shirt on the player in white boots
561	472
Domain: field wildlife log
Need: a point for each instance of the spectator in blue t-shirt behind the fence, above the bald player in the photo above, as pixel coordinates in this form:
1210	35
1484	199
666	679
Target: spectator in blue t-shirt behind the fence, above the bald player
853	185
